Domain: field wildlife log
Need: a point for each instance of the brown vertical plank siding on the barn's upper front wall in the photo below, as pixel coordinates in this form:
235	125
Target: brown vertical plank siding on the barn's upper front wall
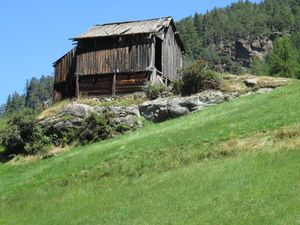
113	54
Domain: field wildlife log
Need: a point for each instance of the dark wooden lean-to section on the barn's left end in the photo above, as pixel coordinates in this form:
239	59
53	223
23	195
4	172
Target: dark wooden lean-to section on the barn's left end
64	81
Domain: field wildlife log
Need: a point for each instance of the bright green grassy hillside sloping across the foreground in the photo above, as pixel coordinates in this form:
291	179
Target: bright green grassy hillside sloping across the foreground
234	163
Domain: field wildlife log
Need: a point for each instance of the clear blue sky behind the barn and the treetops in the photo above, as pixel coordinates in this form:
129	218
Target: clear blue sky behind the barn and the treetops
35	33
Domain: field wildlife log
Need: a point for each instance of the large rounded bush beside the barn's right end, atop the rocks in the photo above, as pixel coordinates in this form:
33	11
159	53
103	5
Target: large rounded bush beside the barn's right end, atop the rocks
196	78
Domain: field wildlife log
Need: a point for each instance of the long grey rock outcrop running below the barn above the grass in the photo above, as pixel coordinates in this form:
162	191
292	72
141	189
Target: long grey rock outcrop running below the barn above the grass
161	109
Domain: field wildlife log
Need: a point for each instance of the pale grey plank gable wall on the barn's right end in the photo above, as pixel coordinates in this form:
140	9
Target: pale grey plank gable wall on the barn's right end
172	56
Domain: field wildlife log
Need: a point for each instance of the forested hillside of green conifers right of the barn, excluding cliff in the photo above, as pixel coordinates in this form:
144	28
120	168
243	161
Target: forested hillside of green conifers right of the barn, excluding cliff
203	33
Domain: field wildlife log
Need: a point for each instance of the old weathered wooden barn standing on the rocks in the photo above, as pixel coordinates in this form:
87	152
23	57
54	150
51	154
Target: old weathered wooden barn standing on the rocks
119	58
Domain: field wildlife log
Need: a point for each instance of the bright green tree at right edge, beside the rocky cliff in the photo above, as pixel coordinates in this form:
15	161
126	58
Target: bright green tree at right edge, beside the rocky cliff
284	61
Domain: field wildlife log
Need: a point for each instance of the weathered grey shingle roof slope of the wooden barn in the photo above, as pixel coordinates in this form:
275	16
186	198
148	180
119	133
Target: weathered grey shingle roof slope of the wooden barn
126	28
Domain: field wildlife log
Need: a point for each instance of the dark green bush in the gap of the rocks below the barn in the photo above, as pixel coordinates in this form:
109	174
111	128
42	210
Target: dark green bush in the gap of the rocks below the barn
95	127
